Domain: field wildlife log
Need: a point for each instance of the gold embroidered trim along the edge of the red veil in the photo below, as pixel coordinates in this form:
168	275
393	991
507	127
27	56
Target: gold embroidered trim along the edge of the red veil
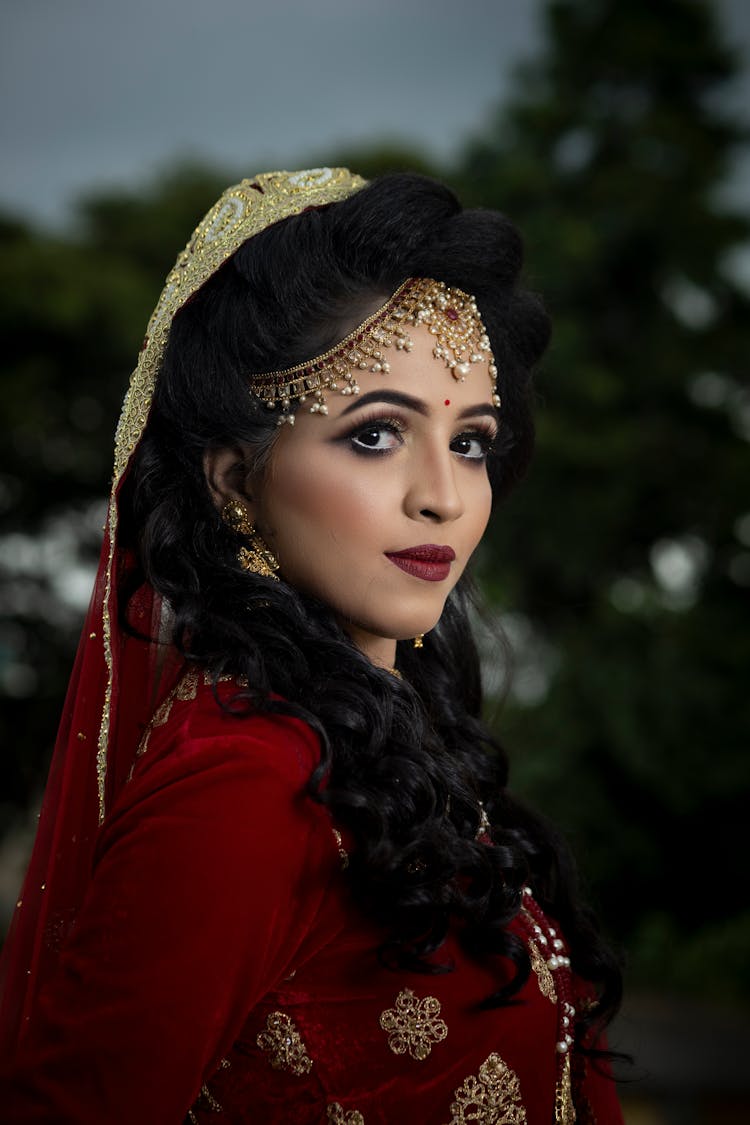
243	211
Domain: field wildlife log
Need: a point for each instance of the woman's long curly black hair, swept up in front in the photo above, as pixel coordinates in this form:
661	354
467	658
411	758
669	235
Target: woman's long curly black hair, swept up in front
405	763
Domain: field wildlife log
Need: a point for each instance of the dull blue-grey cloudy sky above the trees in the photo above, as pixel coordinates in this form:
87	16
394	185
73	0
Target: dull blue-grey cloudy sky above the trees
96	93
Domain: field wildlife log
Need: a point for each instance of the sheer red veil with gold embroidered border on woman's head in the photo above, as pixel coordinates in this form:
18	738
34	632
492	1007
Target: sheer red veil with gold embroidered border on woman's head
119	680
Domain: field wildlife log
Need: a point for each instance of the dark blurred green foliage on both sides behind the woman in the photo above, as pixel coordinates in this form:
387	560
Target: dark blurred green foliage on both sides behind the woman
620	571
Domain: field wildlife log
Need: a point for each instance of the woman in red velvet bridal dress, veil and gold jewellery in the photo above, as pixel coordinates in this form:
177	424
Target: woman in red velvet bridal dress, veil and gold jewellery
279	876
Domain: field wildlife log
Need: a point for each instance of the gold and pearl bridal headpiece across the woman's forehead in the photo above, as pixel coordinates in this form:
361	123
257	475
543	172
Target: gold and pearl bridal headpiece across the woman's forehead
449	314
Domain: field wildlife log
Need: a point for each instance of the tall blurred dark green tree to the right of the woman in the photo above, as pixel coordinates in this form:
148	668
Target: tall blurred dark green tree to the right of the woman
624	564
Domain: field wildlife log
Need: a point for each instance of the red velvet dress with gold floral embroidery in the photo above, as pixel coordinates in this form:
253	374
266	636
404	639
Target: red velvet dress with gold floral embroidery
219	971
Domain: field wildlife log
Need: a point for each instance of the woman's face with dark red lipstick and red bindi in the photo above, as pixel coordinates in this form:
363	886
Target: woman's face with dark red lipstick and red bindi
377	508
